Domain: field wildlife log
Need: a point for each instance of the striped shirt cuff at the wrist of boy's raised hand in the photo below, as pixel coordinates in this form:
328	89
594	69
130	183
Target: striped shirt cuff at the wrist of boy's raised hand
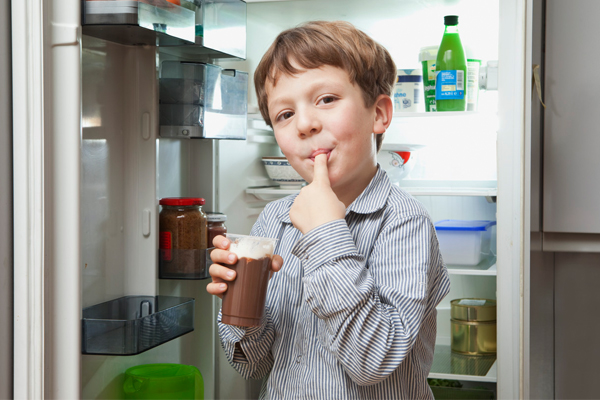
324	244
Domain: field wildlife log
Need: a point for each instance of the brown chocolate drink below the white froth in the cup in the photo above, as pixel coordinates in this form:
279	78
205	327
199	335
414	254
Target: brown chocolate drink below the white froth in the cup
244	301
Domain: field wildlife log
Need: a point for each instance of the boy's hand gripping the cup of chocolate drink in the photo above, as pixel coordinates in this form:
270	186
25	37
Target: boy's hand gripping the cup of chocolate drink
221	274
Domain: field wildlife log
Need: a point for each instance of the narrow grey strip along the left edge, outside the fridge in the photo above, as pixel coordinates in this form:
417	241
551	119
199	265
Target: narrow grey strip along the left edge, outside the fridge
6	262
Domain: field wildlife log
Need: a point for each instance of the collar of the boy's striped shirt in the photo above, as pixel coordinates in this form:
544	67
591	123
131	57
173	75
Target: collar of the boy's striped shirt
372	199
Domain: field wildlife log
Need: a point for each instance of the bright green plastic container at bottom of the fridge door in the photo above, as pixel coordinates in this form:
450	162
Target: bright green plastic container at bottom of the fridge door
163	381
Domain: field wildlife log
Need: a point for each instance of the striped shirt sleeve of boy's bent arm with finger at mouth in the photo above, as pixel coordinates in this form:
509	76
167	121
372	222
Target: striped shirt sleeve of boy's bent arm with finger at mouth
369	313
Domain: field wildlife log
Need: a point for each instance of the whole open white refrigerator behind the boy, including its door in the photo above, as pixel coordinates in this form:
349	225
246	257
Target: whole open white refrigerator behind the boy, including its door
90	165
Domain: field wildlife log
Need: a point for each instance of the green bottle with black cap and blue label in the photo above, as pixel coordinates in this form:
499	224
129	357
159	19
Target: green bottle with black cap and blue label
451	69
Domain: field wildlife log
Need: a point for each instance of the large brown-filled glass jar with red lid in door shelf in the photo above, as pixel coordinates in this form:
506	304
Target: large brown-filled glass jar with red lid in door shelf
183	238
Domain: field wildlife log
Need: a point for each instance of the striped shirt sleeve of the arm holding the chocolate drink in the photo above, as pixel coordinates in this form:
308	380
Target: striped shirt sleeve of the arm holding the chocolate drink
248	350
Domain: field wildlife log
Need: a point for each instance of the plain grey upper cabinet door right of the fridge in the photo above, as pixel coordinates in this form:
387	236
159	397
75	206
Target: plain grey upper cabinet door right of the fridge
571	138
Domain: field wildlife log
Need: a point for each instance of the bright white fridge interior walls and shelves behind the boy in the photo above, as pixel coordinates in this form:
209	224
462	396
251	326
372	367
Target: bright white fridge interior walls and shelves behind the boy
459	152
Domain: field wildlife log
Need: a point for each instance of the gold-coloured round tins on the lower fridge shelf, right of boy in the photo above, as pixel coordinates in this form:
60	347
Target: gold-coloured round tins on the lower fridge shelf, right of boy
473	324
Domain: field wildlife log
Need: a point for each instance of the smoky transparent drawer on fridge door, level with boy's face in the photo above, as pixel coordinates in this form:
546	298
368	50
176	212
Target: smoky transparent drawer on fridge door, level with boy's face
199	100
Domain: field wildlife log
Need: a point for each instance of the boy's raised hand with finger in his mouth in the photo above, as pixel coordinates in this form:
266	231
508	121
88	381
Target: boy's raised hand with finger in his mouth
317	204
